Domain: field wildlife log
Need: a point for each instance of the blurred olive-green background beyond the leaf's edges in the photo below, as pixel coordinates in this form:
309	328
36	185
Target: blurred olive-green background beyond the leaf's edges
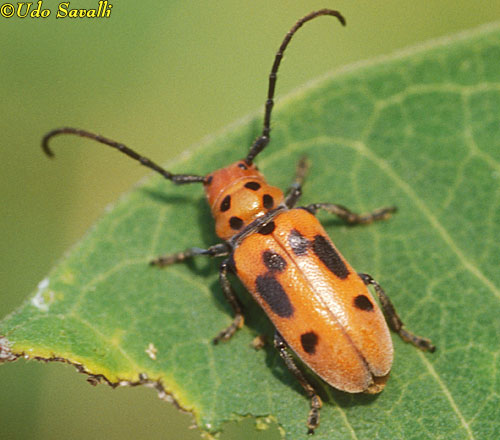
158	76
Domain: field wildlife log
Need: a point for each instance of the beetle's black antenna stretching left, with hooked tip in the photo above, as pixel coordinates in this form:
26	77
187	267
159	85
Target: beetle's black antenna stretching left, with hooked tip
176	178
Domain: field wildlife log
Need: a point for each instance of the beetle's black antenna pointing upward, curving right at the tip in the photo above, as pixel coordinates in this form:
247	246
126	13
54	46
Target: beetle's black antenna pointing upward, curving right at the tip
262	141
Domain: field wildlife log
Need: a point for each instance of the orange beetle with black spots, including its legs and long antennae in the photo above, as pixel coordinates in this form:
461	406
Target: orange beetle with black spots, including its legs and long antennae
321	308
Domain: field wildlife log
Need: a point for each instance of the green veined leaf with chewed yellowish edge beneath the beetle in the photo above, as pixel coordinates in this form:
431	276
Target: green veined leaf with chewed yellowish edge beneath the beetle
420	130
